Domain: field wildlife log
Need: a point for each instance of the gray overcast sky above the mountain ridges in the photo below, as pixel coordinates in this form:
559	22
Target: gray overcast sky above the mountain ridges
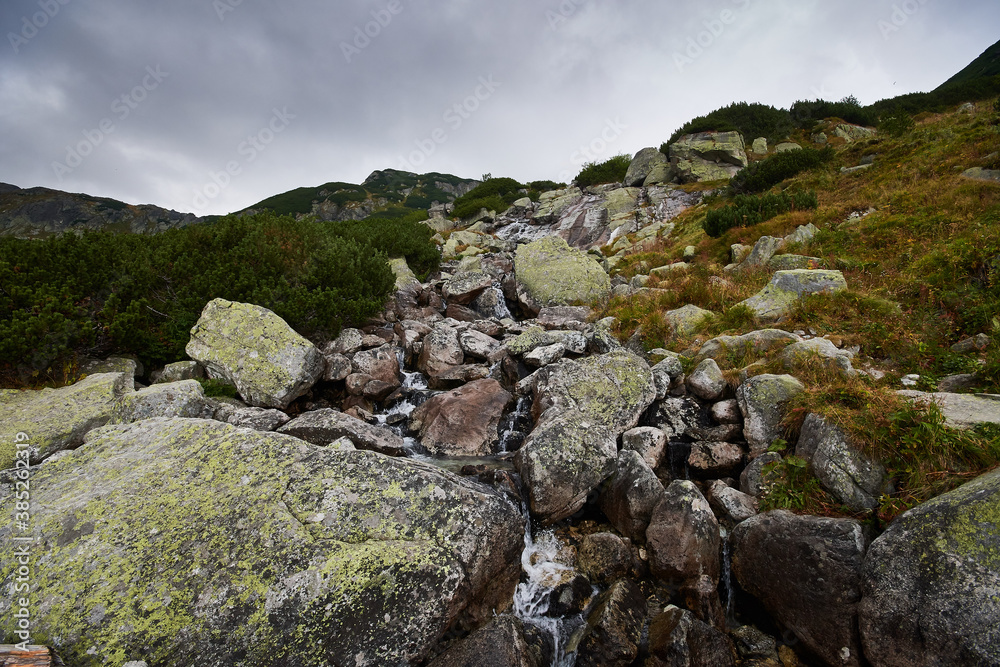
209	106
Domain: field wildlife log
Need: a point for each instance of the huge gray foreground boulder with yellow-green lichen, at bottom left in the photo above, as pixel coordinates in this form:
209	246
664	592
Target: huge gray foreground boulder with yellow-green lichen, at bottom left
195	542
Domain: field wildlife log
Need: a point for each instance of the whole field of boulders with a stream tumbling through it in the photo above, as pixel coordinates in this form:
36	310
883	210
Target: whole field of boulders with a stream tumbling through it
454	485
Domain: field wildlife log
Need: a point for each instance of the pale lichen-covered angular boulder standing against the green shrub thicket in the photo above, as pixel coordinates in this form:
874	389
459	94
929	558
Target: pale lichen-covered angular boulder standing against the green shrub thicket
255	350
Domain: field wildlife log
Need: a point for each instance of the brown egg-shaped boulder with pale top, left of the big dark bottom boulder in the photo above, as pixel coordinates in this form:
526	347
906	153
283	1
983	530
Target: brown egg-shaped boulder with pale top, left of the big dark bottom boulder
683	536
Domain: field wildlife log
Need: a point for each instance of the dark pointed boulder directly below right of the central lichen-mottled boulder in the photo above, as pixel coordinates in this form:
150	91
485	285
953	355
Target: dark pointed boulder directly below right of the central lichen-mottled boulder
630	495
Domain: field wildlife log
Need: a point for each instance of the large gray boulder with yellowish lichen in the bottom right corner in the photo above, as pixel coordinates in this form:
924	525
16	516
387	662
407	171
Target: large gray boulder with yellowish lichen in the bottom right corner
931	582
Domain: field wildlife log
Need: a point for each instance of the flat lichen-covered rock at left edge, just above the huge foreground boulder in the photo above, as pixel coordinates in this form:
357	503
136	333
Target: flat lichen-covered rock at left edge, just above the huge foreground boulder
57	419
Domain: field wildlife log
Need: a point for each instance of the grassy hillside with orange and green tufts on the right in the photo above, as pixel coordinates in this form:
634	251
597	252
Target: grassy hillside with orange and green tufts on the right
919	245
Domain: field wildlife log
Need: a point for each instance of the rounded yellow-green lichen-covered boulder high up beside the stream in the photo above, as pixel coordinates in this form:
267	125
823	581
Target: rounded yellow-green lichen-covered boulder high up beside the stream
550	273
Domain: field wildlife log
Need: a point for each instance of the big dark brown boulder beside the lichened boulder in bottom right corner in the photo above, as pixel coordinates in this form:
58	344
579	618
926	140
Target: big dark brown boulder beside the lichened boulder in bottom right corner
806	571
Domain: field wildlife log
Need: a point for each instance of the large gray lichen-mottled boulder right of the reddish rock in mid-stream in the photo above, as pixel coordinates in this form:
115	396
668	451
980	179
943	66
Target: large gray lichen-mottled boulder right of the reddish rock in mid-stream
582	407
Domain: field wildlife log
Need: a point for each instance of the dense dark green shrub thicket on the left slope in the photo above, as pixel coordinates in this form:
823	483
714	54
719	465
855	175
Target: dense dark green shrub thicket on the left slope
101	293
